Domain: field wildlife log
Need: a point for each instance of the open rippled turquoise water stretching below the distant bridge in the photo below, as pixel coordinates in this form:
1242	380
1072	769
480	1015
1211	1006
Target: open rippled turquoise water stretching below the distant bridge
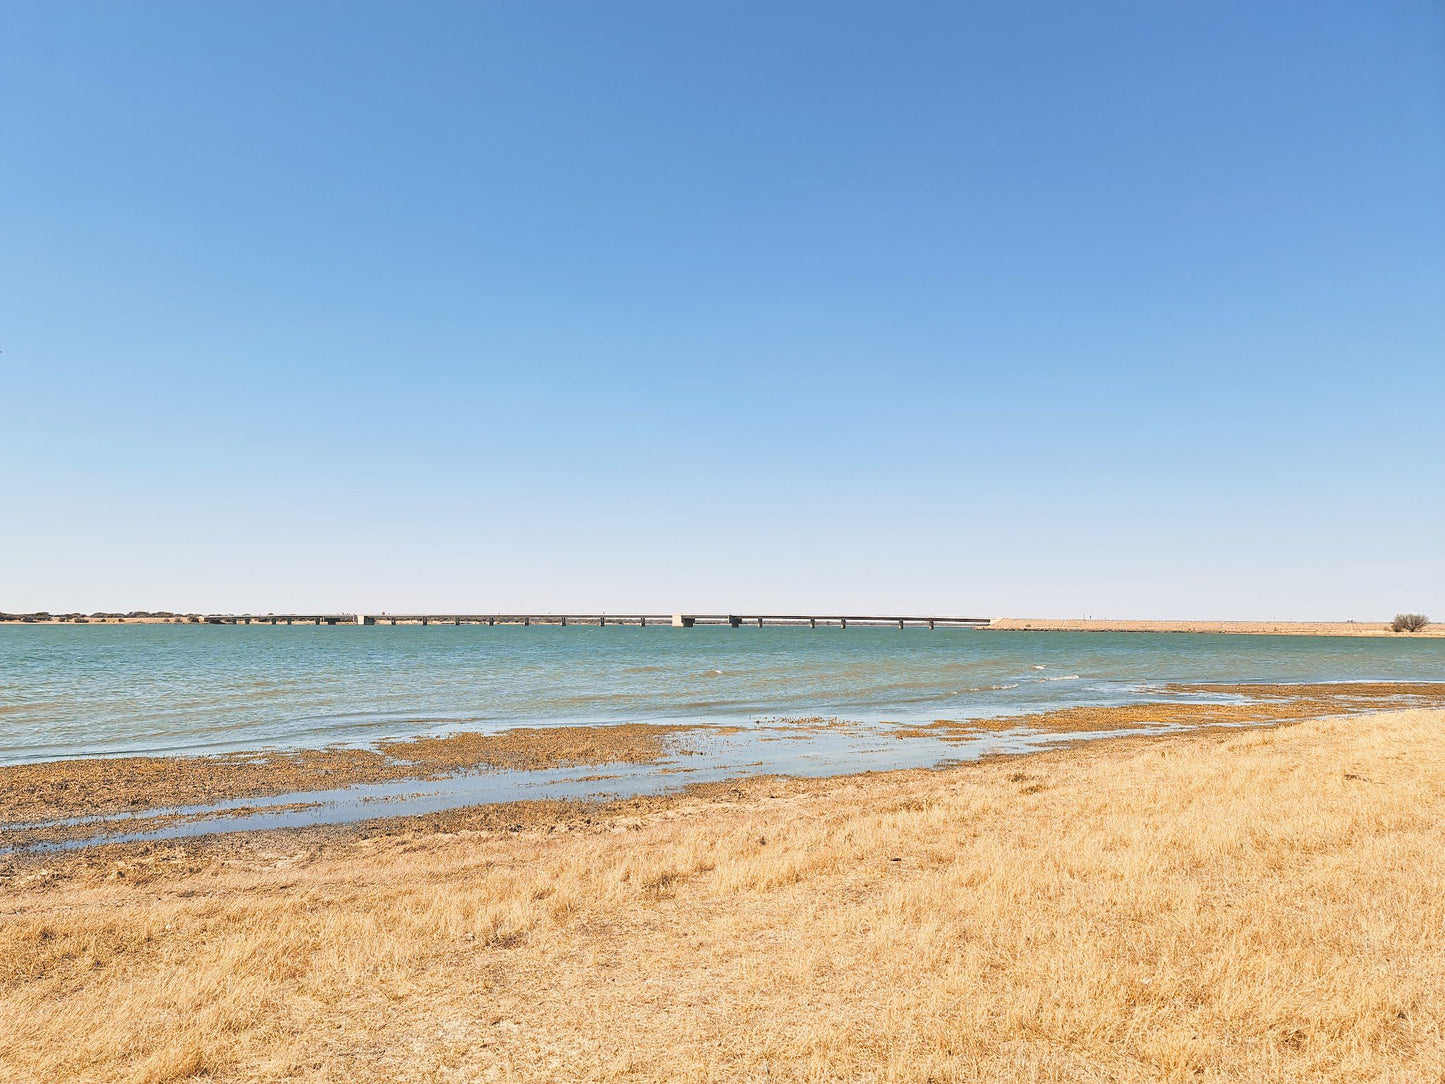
105	690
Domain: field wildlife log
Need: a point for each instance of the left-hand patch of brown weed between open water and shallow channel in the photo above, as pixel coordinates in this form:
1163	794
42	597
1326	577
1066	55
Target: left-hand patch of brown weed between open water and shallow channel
99	787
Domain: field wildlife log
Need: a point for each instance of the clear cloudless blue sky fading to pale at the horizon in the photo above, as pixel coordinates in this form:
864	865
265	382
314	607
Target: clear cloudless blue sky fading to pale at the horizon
1001	309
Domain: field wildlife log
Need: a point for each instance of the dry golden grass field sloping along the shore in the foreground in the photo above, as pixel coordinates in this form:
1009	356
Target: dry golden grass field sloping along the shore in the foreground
1251	906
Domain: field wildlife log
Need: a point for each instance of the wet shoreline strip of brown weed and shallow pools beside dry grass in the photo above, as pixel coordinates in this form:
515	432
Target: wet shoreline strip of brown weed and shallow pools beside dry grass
79	803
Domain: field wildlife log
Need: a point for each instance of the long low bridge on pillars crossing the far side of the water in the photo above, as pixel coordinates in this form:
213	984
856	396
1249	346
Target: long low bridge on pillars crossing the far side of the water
678	621
